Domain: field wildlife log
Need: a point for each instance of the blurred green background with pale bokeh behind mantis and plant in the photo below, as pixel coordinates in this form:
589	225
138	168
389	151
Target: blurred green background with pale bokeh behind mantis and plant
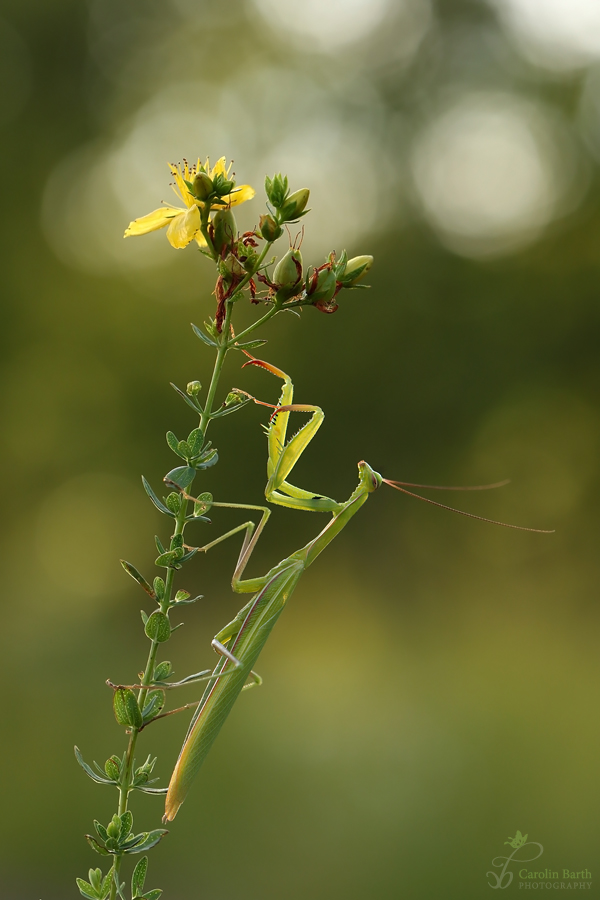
434	684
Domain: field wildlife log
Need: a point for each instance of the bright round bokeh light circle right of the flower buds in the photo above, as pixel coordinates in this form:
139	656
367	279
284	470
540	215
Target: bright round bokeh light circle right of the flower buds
490	172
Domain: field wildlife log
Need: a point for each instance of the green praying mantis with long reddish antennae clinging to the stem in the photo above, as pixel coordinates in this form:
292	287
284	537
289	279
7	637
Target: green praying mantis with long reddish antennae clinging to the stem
241	641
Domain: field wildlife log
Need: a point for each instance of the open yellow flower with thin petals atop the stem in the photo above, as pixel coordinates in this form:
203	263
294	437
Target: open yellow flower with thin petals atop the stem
184	224
